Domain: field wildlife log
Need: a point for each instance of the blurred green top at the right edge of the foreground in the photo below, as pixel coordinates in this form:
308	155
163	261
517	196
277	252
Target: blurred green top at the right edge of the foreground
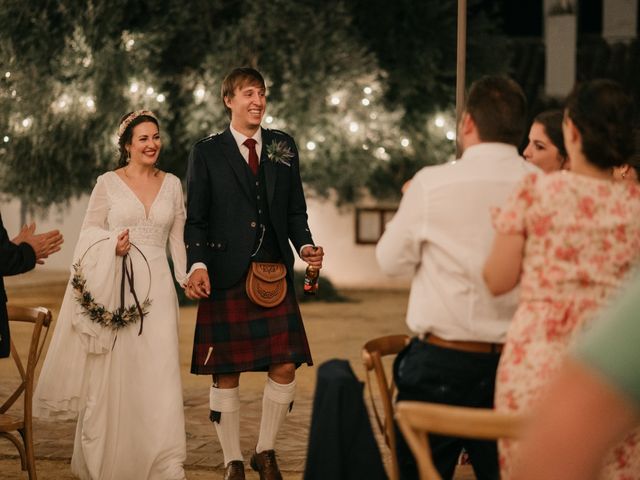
612	348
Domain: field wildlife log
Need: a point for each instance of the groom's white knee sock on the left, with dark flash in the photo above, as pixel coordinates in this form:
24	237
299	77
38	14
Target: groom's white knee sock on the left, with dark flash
227	402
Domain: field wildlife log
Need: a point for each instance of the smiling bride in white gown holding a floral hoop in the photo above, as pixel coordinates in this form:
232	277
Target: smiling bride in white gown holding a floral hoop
113	360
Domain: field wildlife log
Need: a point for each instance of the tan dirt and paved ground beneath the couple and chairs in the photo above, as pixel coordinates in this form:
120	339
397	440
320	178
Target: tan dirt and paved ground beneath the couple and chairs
335	330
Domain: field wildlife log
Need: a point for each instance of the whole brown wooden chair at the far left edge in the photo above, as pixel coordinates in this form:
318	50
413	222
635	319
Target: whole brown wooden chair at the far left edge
21	421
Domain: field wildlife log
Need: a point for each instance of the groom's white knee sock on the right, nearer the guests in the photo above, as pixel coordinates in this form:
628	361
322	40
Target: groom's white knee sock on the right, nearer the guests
275	404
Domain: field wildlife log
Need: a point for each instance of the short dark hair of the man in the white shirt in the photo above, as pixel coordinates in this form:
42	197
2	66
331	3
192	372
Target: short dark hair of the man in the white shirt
498	107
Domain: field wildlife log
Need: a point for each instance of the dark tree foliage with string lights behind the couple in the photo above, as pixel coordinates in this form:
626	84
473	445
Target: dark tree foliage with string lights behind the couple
72	68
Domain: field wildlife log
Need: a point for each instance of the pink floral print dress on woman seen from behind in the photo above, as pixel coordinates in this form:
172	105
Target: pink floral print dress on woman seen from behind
582	238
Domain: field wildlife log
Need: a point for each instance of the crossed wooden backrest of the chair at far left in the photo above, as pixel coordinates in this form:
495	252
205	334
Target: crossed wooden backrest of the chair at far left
40	317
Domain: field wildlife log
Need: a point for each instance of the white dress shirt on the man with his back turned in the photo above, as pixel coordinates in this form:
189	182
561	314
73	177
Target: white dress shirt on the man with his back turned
442	234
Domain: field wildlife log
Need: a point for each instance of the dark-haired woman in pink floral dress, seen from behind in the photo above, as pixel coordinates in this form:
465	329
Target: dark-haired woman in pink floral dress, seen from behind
569	239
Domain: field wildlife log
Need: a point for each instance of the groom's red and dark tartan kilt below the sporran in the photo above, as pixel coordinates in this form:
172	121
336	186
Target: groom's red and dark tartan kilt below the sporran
233	334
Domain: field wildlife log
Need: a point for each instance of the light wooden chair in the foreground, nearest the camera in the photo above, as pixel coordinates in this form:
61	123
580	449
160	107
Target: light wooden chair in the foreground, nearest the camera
418	419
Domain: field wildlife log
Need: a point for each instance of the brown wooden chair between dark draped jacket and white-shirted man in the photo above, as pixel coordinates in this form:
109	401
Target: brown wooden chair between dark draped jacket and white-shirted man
372	354
